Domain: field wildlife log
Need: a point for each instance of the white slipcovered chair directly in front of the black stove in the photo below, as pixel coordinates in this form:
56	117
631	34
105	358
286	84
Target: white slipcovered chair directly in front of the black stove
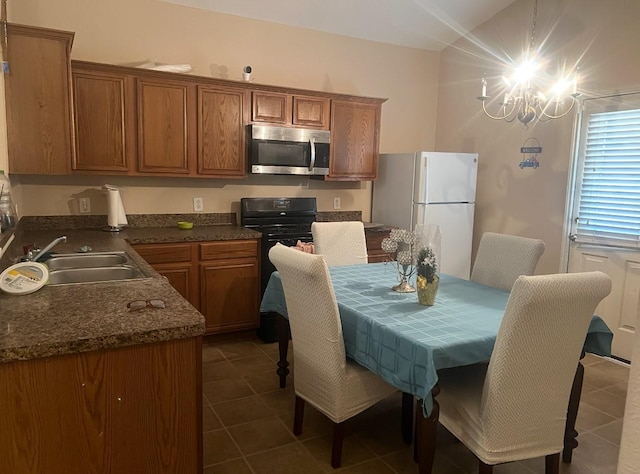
341	243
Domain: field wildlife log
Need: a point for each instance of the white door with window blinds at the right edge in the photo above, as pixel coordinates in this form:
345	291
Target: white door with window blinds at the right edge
605	215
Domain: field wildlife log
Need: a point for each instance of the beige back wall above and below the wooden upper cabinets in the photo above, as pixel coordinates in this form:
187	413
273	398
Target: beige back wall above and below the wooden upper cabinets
126	31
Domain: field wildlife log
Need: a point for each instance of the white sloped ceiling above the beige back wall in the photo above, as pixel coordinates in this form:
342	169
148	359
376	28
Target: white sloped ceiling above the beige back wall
423	24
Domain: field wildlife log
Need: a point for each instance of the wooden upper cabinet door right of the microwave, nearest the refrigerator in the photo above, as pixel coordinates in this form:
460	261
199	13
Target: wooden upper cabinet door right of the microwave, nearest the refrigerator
354	141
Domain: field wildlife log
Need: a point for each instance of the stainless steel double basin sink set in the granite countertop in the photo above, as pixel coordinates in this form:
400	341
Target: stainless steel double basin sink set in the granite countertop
92	267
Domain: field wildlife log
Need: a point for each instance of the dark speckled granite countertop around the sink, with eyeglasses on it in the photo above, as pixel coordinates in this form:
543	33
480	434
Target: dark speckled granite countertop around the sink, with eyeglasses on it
64	319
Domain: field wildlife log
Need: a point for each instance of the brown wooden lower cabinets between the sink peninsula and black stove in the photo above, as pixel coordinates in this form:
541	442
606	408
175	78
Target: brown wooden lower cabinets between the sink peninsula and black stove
220	279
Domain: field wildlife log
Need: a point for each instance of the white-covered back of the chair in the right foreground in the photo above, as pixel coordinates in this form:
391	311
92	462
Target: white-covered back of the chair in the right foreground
534	360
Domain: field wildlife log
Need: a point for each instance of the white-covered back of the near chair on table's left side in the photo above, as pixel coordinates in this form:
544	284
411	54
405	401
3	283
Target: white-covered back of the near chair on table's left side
316	329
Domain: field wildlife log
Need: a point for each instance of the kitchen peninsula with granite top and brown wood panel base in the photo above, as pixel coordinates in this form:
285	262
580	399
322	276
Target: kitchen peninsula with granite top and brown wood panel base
80	363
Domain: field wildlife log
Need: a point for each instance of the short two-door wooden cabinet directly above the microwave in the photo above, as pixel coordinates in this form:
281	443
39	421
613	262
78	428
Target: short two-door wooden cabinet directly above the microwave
290	109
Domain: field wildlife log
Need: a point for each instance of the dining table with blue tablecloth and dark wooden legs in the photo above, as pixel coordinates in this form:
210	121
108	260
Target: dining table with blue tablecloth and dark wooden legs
406	343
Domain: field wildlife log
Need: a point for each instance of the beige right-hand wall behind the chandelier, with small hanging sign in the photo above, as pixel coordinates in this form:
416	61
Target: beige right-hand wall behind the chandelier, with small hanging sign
603	37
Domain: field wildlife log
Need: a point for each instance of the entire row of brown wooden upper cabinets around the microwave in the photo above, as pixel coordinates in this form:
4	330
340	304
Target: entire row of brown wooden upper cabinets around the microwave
68	117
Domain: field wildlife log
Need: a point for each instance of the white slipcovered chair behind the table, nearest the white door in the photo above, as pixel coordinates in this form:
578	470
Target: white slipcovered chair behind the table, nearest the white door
502	258
